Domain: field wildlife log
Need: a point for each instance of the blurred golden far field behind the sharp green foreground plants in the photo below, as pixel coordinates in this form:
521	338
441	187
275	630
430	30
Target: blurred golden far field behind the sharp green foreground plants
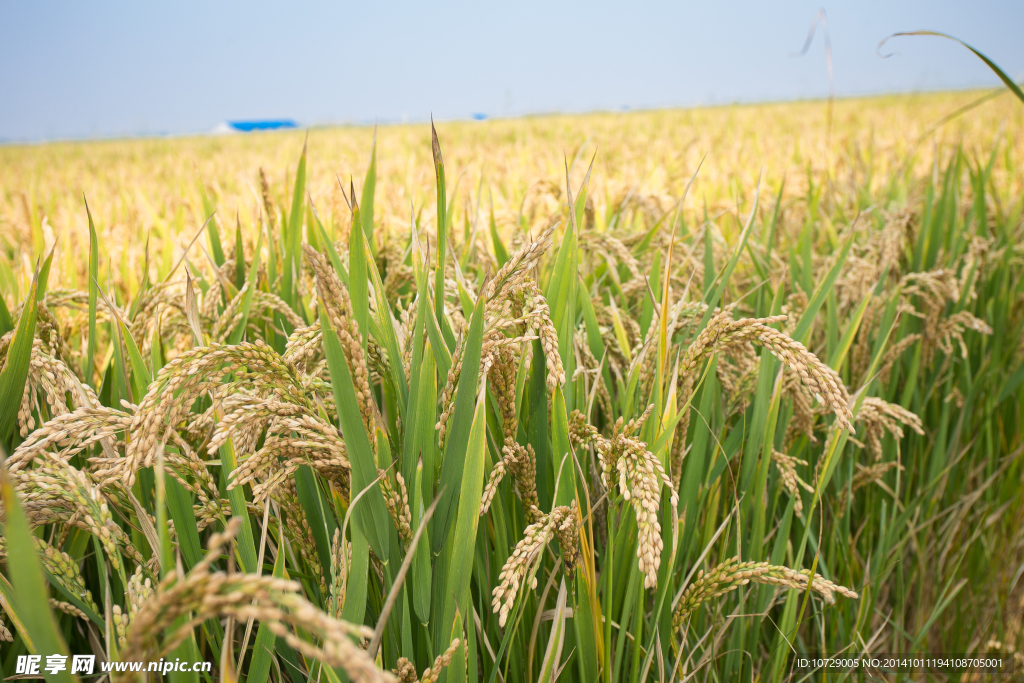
148	188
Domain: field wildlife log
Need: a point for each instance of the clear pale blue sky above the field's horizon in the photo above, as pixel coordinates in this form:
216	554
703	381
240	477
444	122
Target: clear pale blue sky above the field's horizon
106	69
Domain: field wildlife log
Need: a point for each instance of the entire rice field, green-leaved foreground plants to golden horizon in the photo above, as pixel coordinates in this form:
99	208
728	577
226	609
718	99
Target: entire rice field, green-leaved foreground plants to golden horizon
647	397
